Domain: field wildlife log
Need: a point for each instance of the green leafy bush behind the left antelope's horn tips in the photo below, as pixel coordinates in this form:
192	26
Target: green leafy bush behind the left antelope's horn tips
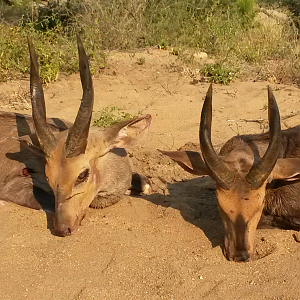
56	52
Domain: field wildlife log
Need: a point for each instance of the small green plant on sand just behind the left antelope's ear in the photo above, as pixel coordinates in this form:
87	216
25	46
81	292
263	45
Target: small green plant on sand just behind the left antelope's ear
111	115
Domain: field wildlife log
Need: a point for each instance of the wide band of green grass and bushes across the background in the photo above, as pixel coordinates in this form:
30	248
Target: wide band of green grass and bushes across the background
237	30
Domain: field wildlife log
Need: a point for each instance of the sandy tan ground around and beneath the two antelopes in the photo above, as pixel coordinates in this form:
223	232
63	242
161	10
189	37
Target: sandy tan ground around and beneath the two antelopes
167	245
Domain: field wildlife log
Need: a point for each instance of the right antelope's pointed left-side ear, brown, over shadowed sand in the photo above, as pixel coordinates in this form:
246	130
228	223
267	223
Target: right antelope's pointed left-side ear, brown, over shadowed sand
189	160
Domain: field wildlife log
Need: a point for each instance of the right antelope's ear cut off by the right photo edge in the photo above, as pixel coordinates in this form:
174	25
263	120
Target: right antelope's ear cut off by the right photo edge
286	169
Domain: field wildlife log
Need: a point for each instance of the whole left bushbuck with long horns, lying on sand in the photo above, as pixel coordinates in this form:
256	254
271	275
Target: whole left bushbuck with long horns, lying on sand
51	162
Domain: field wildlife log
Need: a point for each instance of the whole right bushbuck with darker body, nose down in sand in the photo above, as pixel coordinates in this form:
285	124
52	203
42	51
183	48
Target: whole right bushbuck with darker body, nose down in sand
257	178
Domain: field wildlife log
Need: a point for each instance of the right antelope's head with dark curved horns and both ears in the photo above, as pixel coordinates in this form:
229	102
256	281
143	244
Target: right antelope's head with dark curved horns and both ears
241	176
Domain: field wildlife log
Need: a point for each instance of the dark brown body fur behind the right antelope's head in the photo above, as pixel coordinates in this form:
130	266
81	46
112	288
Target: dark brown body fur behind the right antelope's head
282	197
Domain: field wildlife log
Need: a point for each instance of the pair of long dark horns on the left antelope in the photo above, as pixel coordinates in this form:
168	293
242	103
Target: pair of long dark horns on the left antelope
78	134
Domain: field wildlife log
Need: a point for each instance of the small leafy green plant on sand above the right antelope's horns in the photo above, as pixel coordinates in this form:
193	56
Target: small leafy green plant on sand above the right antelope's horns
218	73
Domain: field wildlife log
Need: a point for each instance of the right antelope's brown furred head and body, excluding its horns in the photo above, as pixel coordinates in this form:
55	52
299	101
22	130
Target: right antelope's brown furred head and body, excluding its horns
275	201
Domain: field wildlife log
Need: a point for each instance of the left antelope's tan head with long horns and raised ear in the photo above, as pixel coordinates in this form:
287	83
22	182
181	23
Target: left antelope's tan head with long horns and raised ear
73	157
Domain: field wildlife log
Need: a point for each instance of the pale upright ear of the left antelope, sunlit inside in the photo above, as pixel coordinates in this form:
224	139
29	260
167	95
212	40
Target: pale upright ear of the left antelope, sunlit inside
127	133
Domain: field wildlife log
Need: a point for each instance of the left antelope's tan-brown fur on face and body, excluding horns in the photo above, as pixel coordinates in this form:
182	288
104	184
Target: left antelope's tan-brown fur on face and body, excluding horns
29	180
